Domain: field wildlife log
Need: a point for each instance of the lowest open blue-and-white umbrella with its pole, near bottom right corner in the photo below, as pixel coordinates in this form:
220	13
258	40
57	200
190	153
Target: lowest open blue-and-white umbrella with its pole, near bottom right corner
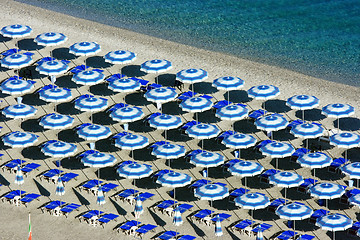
334	222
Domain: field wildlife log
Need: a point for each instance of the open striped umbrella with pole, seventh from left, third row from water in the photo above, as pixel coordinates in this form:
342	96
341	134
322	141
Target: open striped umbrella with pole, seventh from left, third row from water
239	141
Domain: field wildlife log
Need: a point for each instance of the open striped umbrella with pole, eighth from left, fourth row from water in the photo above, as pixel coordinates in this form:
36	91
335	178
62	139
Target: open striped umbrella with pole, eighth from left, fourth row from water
286	180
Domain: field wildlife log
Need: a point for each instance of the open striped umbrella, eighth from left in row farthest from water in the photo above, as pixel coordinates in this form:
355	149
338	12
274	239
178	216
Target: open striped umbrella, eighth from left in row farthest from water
294	211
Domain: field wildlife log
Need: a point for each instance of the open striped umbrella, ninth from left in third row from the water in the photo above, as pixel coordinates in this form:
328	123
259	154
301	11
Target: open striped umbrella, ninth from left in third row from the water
315	160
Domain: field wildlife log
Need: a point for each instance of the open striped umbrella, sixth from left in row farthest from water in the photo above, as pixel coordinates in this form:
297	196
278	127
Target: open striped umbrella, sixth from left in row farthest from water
211	192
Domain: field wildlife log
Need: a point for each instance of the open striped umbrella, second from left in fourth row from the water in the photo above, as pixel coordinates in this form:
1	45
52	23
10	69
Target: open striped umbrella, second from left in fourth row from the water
56	121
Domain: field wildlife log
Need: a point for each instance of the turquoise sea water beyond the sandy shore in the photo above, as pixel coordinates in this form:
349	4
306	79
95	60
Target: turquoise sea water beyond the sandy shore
319	38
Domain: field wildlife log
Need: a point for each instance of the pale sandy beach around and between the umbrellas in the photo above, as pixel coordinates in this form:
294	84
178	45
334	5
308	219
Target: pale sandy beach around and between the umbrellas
44	226
